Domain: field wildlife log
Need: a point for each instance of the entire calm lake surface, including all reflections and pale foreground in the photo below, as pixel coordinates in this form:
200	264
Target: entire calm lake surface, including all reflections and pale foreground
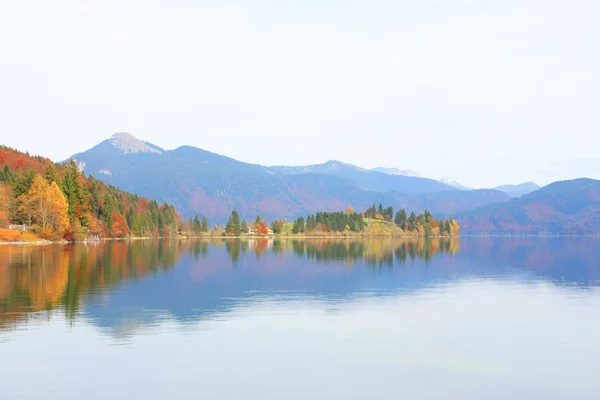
475	318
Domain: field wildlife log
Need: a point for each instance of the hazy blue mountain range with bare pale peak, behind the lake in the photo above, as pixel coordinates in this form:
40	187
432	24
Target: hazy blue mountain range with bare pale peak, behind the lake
197	181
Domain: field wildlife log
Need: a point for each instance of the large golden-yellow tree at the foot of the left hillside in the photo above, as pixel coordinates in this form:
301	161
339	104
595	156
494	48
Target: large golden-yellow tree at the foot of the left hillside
45	205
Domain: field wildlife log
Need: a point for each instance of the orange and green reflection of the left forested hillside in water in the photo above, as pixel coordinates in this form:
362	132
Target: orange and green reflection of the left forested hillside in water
33	279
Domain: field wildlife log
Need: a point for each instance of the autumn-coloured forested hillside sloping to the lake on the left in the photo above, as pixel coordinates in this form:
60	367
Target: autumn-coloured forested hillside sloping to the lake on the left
58	201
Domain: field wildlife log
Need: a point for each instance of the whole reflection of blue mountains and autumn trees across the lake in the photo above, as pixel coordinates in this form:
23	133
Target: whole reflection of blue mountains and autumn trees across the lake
116	283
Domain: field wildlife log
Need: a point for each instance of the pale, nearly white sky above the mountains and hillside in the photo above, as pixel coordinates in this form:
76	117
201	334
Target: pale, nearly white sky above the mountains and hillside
483	92
